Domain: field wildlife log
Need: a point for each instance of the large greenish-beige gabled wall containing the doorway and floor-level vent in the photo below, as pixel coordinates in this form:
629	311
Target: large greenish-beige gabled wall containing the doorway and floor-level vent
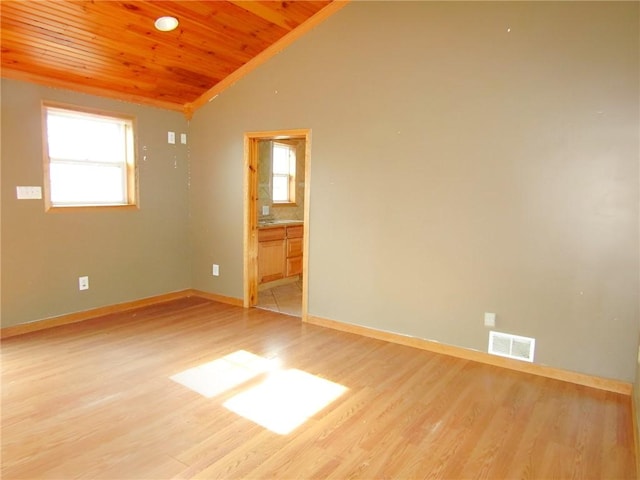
466	158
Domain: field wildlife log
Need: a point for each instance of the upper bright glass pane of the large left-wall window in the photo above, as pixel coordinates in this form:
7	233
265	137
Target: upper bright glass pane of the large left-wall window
83	137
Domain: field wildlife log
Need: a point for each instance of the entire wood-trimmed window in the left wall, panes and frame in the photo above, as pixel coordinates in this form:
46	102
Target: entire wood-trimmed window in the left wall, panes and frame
89	158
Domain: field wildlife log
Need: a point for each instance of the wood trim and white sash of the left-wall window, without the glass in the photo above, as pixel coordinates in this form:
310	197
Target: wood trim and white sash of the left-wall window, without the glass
128	165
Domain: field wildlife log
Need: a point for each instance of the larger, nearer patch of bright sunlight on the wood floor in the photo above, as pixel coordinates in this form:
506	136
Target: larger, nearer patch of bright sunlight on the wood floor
285	400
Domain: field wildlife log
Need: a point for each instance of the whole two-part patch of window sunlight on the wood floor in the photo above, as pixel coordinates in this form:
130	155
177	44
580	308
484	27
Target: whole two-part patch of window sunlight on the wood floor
281	403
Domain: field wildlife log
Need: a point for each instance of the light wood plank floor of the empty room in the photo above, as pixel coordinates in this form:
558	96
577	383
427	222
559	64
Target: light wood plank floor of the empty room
96	401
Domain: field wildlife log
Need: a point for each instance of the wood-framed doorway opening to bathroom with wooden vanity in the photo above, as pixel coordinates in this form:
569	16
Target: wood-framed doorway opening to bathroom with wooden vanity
261	223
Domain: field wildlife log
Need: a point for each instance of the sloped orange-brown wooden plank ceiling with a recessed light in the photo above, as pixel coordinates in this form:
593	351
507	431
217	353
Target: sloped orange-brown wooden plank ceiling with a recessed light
111	48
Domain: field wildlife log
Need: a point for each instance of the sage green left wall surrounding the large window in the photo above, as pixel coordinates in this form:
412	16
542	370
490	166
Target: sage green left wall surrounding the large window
127	255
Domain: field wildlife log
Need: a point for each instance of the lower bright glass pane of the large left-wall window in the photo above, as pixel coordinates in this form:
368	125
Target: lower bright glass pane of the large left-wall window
87	184
